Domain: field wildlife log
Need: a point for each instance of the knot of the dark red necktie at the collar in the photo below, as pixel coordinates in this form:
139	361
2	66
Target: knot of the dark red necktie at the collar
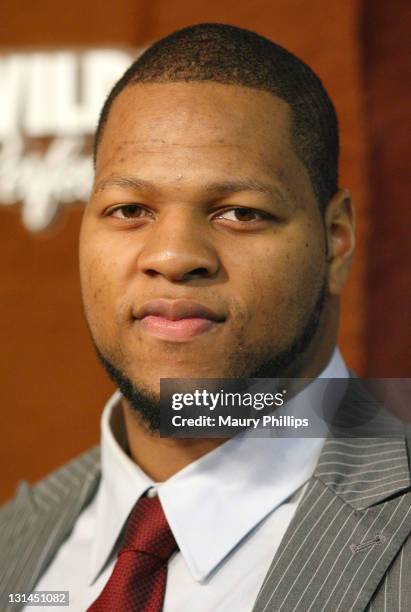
148	531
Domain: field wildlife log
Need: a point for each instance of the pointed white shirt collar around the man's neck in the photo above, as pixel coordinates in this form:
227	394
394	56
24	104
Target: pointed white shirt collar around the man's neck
214	502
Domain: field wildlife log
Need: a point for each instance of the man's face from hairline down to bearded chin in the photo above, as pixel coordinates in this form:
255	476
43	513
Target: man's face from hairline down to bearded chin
199	196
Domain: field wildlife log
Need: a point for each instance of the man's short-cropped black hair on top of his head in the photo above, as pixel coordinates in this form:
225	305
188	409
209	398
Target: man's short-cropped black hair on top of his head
234	56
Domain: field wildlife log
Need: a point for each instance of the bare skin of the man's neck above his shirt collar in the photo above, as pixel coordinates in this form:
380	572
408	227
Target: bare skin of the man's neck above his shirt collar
161	458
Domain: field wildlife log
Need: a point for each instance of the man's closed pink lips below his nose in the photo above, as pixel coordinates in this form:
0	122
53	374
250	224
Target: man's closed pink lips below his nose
177	320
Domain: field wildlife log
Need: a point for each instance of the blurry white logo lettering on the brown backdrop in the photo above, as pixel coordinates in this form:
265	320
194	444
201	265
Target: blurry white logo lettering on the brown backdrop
49	107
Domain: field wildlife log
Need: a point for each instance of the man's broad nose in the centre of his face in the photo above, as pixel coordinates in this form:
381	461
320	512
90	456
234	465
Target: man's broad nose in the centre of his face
177	249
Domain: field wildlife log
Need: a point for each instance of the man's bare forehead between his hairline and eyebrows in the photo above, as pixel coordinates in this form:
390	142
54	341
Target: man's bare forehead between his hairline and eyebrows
196	115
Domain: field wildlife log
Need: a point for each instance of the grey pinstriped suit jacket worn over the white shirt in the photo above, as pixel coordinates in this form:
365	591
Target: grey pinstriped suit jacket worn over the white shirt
348	547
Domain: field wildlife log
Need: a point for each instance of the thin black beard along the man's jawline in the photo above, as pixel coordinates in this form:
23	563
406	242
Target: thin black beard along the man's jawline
145	405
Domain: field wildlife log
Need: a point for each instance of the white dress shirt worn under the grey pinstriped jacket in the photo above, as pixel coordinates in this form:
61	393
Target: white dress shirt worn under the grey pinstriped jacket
228	512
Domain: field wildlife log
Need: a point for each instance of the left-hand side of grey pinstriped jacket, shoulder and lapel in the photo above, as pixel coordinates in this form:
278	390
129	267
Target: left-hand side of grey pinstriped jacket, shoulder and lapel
43	516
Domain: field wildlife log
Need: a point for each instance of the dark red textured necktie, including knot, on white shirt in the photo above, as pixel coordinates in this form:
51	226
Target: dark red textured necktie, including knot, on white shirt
138	581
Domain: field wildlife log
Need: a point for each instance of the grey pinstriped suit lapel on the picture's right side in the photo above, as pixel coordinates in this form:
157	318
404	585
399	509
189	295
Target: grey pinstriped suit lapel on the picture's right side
350	524
